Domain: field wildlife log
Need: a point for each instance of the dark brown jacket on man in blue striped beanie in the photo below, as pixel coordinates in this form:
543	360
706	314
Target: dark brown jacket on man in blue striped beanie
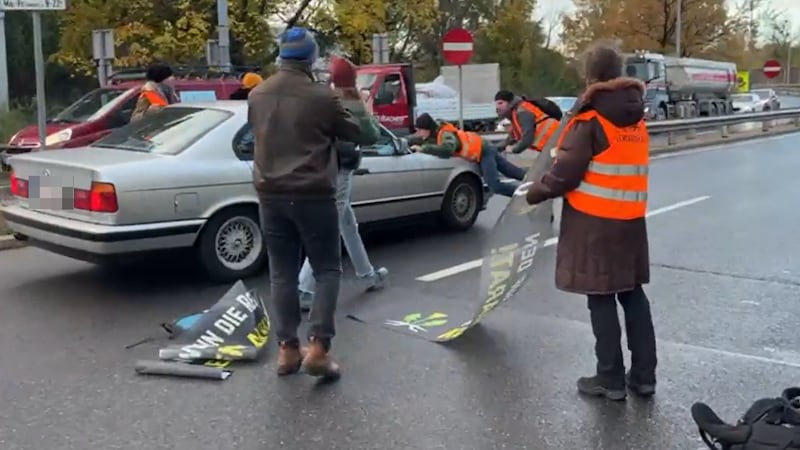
295	123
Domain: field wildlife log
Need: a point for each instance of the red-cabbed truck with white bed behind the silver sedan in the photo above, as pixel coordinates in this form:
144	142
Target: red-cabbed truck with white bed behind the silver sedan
397	99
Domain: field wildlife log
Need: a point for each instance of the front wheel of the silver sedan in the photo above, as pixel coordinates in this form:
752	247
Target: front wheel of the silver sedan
462	203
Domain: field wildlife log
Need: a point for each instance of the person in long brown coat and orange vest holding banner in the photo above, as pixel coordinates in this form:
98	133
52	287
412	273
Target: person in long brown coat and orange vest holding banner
600	169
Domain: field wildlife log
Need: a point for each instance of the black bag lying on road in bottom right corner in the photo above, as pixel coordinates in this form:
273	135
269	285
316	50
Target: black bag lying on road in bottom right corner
769	424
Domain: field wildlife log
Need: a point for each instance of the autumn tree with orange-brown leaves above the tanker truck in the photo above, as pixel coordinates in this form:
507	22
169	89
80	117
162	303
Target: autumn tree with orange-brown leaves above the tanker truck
651	25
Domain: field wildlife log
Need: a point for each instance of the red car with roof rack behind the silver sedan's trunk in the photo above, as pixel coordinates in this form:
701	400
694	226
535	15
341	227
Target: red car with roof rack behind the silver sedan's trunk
97	113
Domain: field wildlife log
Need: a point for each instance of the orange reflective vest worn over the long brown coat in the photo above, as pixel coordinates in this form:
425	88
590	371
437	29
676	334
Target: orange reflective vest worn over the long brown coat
615	184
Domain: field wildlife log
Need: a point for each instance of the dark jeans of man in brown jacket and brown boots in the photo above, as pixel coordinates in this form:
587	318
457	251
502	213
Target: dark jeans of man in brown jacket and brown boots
291	226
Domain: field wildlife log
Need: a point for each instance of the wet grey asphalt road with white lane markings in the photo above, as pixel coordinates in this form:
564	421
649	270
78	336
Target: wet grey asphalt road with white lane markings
725	284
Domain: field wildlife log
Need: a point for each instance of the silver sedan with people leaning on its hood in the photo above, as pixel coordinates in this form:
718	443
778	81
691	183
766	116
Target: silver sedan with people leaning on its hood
182	179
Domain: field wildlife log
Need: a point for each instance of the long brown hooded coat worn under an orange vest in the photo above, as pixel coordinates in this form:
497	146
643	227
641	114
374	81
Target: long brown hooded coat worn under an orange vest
596	255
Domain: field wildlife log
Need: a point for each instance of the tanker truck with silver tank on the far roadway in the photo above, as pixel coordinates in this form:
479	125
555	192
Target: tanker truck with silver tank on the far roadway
682	88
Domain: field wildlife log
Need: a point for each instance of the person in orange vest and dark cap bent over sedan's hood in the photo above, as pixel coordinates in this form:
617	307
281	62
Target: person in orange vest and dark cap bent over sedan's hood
446	140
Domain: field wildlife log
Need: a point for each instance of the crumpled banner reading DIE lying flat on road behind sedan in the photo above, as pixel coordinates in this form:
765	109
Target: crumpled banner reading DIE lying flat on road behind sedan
204	344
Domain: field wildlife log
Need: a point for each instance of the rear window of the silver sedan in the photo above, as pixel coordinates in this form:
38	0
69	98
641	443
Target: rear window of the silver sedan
169	131
